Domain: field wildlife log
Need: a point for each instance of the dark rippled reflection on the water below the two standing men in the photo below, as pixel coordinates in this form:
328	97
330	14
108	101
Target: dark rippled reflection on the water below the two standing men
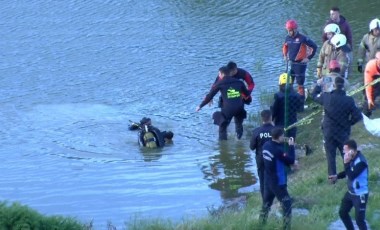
228	172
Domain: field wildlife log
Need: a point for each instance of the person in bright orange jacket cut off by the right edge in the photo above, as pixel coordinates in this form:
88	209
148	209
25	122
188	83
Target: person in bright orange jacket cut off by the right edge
371	73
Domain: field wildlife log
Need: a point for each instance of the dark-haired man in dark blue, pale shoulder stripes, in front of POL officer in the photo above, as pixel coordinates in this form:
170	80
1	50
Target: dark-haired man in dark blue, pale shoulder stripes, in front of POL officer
277	157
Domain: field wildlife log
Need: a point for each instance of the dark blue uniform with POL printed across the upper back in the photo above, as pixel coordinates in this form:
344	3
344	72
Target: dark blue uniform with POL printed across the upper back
260	135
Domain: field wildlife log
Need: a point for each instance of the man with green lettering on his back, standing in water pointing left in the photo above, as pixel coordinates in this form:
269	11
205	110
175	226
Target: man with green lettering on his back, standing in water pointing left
232	91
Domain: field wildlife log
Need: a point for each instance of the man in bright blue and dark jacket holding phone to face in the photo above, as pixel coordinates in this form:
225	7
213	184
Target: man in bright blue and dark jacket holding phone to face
356	171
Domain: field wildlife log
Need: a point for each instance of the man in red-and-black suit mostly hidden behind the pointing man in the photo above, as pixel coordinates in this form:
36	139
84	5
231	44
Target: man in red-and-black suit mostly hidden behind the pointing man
242	75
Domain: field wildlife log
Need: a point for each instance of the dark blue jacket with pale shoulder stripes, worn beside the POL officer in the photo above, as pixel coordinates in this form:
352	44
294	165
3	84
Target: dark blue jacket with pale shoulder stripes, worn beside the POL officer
276	159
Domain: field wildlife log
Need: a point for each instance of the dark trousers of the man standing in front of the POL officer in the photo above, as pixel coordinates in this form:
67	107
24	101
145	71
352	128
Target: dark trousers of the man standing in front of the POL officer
281	193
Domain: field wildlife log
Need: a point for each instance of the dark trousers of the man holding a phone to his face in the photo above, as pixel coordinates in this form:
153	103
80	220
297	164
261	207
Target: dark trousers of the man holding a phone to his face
360	204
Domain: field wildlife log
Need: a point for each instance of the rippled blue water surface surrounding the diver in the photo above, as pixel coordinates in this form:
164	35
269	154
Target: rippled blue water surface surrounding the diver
73	73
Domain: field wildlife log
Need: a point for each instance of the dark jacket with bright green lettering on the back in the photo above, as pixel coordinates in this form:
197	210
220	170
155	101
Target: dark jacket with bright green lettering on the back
231	90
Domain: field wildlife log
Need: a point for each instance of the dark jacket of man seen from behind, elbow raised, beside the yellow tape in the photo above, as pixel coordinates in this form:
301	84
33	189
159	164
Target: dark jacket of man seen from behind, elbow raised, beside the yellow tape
340	112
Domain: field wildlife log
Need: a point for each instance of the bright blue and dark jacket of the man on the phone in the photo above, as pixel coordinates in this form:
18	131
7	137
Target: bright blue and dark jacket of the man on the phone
357	173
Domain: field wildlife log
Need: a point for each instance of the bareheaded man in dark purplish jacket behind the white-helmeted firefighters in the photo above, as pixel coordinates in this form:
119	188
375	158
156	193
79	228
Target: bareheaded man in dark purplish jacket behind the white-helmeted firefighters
341	21
